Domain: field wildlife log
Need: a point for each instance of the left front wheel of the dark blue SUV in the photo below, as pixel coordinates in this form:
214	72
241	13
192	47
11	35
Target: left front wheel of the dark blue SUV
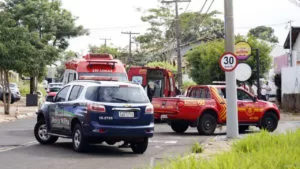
41	134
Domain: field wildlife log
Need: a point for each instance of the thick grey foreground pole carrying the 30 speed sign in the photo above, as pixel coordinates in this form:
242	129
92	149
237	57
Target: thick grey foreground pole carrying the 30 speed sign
231	90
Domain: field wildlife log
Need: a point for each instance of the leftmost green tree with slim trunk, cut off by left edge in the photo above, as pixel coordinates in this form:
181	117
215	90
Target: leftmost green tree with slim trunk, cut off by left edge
15	49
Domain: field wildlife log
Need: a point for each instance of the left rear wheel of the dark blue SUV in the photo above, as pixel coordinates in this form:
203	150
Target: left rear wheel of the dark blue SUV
78	140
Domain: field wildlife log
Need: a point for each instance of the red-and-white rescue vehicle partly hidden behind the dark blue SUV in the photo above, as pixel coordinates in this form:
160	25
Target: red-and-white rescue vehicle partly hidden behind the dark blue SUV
95	67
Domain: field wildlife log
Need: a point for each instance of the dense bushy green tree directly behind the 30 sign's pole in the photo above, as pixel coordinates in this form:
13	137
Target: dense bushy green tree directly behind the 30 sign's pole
203	60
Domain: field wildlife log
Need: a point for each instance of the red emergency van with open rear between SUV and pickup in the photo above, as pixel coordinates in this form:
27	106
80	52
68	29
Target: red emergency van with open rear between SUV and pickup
163	79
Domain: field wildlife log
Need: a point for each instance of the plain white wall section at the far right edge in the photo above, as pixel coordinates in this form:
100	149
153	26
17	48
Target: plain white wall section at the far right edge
290	82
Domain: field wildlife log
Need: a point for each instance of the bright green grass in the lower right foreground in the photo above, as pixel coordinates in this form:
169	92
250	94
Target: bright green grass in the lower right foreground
257	151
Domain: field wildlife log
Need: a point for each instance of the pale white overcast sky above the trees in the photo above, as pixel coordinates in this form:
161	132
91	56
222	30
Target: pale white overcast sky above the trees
107	19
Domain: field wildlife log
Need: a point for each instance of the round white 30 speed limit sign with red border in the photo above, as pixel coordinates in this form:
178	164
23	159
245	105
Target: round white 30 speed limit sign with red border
228	61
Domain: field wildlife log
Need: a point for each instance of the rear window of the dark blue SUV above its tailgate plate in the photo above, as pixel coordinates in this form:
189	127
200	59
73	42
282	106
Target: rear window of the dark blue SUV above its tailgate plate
116	94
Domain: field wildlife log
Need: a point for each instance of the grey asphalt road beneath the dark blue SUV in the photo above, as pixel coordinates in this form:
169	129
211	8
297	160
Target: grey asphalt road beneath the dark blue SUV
19	150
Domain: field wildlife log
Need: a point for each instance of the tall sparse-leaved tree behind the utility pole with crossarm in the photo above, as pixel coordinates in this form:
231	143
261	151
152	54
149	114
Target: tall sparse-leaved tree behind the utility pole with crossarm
161	35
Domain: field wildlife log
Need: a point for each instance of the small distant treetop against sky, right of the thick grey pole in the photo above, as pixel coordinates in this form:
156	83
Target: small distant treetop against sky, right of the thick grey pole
264	33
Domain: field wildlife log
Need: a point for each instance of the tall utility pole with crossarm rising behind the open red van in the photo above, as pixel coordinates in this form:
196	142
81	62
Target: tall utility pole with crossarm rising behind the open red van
179	63
